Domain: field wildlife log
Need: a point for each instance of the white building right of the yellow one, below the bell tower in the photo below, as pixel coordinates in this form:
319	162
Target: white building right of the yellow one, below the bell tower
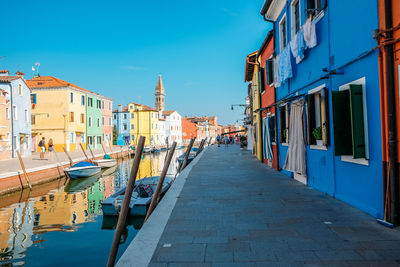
173	126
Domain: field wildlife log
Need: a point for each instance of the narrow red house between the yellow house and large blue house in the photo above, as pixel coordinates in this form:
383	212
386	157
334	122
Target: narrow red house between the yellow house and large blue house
267	91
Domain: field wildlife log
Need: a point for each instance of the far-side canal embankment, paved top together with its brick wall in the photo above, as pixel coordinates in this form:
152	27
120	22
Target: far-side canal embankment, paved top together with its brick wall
39	171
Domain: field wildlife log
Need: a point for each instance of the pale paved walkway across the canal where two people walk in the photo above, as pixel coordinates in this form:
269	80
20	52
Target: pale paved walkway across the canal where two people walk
33	161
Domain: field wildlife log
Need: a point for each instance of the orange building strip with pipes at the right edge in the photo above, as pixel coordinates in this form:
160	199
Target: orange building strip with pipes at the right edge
388	38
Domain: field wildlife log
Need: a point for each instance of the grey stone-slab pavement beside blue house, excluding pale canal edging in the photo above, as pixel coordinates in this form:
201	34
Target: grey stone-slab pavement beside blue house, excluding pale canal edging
235	211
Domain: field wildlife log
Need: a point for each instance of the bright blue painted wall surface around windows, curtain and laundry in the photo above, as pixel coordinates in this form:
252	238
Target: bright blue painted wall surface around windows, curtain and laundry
344	37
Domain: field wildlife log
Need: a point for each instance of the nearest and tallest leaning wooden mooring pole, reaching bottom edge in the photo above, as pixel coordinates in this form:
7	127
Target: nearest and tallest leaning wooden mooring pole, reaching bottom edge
125	205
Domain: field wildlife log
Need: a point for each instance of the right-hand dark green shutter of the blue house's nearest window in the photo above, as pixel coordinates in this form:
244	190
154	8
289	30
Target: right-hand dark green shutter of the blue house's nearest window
357	120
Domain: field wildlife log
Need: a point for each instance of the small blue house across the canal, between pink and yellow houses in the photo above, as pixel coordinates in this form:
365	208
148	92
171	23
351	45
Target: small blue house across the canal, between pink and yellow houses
121	121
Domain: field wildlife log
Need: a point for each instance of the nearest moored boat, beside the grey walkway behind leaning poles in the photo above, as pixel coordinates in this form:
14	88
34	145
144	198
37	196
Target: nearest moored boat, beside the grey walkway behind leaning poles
139	203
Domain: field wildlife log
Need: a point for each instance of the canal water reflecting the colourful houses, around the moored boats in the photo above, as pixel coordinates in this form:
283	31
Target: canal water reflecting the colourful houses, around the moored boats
61	223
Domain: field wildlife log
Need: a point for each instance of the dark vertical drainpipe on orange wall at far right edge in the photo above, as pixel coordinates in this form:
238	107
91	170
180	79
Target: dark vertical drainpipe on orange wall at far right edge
391	114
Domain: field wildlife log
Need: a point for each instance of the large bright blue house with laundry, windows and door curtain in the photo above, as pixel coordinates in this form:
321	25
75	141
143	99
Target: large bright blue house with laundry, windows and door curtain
327	97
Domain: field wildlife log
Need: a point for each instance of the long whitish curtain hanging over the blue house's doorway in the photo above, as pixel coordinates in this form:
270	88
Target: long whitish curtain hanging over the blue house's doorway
295	157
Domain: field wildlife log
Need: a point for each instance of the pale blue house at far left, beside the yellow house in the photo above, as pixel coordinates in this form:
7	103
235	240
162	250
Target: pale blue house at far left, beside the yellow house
19	95
